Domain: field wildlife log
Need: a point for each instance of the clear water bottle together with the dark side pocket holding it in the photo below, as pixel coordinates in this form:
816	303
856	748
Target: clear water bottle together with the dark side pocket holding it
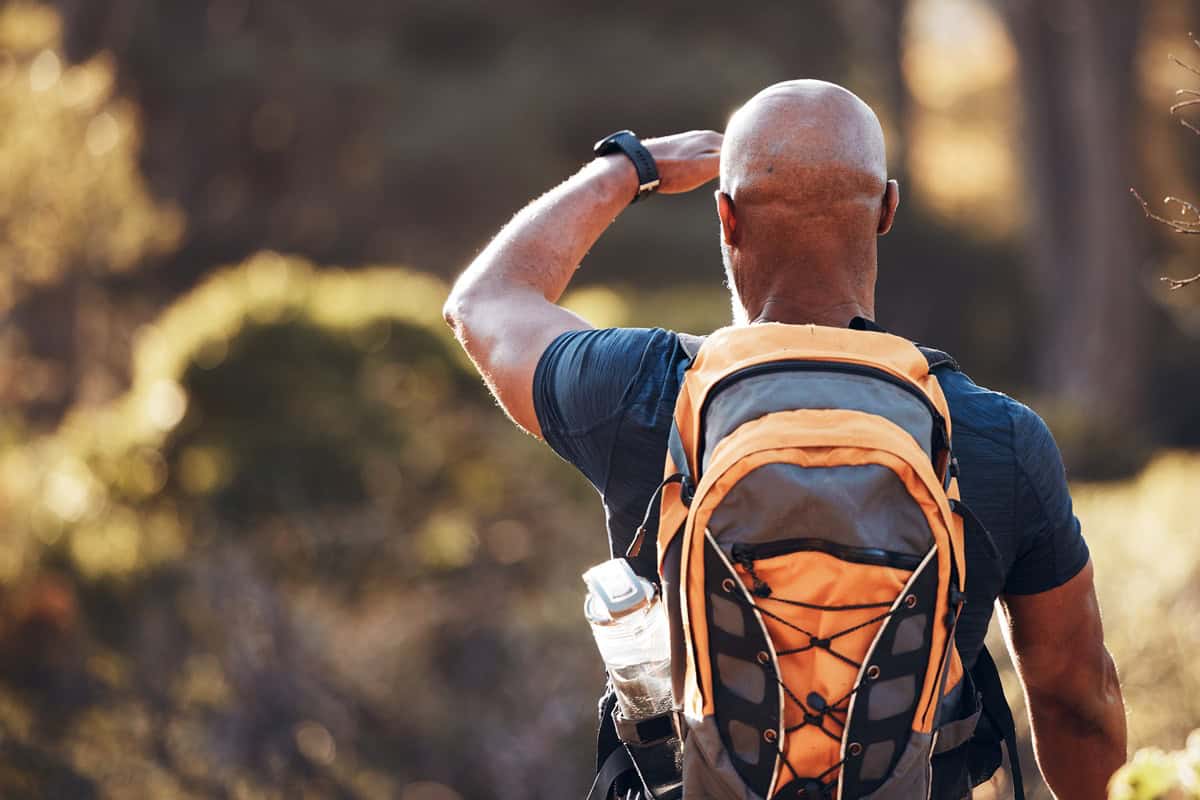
631	627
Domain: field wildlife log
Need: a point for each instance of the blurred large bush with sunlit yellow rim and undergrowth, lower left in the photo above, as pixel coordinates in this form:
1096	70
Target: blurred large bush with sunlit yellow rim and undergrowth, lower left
298	582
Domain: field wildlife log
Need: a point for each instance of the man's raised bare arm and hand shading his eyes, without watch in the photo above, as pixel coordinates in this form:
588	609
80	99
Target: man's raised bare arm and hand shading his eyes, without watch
503	309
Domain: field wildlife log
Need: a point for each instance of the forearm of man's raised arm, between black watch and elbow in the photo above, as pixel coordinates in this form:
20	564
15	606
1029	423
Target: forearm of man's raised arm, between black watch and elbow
543	245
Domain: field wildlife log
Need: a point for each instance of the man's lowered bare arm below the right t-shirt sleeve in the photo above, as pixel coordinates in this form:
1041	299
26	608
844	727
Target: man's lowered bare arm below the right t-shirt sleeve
1071	684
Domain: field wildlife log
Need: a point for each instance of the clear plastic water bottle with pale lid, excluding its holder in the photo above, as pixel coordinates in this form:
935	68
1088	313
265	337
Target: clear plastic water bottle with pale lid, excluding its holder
632	631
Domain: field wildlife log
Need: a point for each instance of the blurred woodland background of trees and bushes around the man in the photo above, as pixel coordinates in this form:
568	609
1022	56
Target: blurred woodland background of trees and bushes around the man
265	536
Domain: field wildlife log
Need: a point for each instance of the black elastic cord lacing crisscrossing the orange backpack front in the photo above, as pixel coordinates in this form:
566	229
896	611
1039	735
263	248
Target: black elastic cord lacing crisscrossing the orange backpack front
817	709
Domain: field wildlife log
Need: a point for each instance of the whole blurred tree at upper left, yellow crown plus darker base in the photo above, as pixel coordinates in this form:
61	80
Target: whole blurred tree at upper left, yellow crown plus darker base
75	214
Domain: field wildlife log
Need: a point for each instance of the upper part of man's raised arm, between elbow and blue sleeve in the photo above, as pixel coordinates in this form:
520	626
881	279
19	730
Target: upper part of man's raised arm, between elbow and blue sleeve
506	339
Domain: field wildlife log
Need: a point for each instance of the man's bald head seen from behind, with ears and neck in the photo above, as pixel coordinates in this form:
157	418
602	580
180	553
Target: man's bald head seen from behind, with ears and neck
805	194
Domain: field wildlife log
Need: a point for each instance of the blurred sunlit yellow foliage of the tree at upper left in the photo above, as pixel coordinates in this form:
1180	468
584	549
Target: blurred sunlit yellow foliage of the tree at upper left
71	194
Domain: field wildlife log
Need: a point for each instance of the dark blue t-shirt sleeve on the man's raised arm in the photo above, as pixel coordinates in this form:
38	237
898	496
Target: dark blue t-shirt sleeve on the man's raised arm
580	392
